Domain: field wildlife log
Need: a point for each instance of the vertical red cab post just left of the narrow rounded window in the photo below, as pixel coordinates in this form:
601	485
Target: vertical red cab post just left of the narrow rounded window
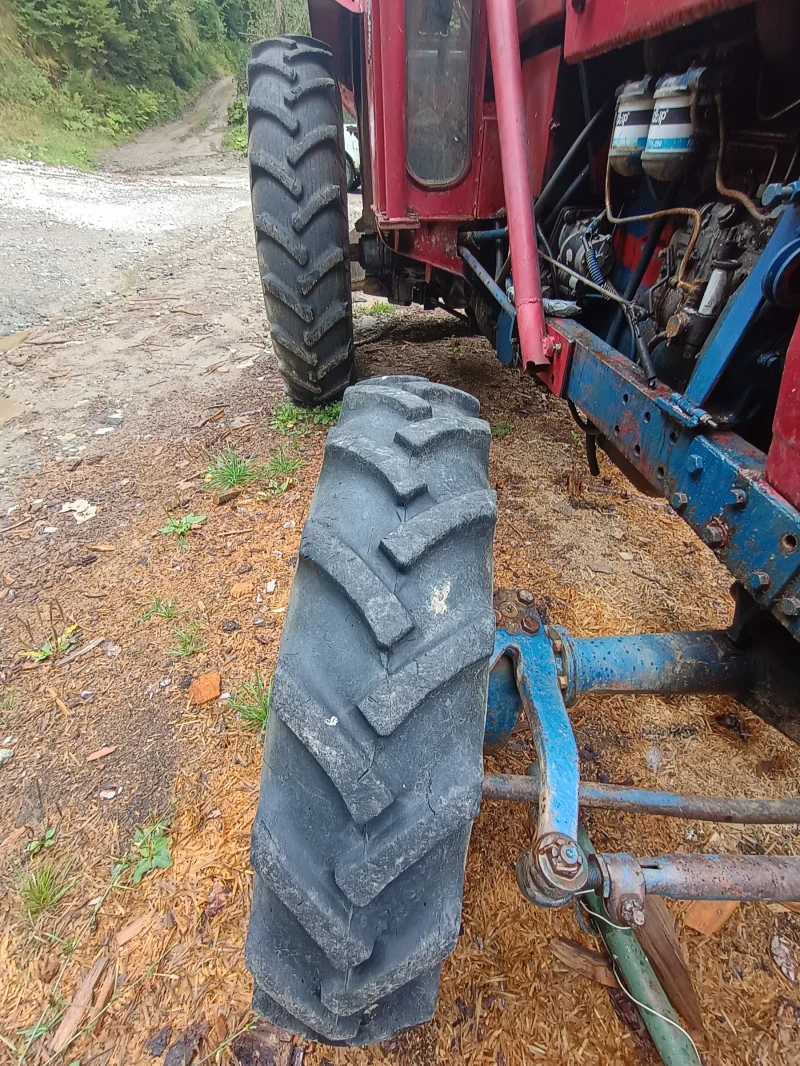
393	53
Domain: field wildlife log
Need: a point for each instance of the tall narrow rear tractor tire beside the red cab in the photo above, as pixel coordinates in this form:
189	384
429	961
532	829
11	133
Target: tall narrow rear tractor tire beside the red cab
299	191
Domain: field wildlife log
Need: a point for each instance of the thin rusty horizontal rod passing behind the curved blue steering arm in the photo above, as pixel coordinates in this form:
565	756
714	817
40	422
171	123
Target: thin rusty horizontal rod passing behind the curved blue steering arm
743	812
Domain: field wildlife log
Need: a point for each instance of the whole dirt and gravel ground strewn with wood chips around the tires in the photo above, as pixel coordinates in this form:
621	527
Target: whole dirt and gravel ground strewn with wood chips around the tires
120	401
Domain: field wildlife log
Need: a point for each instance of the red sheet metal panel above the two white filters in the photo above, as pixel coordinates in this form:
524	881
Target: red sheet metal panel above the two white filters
598	26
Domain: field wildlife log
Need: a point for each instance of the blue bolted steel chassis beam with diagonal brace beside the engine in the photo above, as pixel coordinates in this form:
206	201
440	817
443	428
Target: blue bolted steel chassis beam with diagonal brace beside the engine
714	479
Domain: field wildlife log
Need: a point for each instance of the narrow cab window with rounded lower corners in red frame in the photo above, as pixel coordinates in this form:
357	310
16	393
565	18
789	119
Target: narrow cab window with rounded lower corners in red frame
439	36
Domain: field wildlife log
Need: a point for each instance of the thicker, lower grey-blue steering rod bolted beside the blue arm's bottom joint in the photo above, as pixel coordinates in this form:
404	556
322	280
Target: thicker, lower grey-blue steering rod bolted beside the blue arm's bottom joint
770	879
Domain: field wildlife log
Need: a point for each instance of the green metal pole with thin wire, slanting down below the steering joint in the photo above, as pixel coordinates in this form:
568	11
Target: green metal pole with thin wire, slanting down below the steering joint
673	1043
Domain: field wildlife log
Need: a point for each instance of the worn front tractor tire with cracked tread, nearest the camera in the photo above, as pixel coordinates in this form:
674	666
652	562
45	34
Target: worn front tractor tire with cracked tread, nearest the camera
373	761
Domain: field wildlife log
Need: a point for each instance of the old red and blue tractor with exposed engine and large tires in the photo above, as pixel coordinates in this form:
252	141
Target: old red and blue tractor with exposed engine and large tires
610	192
